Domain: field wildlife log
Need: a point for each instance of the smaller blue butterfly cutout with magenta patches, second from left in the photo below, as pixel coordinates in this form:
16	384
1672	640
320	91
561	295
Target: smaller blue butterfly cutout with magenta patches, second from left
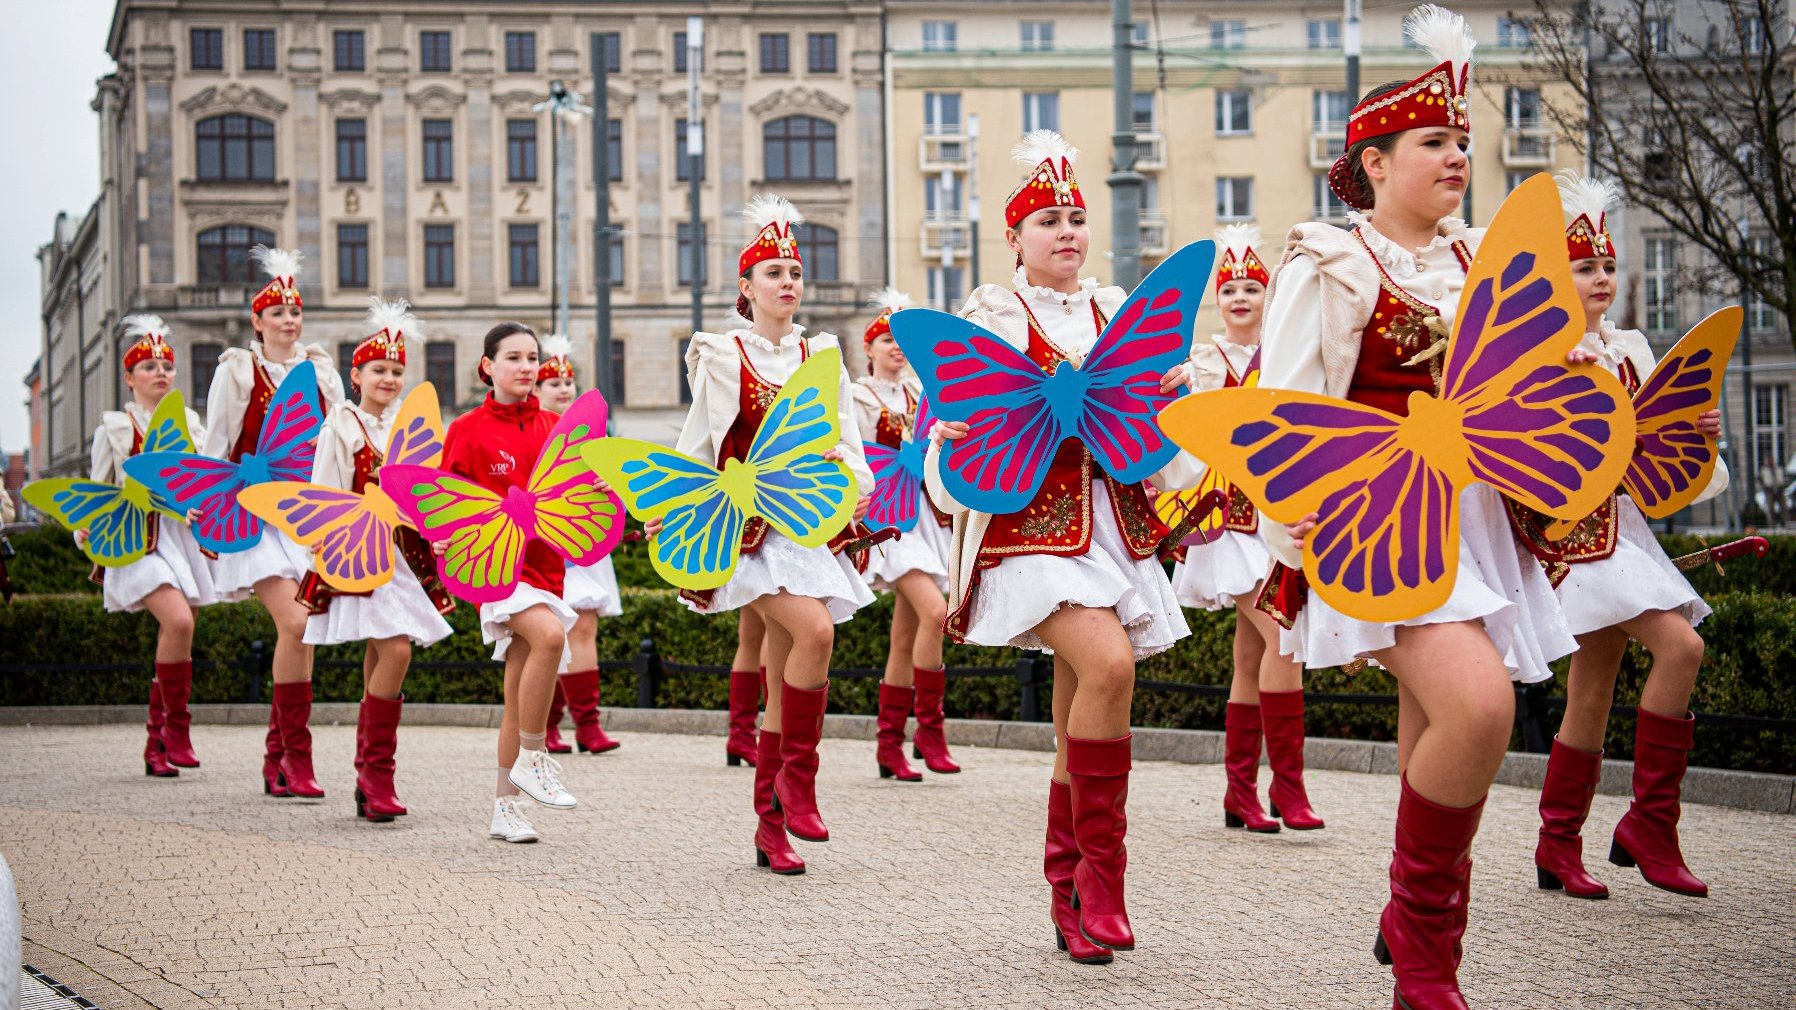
283	452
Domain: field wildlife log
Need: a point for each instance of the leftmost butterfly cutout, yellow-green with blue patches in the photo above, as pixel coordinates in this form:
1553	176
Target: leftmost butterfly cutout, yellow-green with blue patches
118	518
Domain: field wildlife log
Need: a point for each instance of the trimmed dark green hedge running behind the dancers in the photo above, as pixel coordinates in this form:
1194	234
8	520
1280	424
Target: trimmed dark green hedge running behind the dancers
1752	648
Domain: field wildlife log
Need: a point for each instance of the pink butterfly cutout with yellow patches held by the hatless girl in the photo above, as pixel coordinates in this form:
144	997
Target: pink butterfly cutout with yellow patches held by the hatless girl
488	531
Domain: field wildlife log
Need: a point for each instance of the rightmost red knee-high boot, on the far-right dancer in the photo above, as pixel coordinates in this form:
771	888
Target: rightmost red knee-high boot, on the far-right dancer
1648	833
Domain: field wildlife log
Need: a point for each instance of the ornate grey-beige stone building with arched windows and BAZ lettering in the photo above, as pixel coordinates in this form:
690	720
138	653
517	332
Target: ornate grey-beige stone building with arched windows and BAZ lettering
400	146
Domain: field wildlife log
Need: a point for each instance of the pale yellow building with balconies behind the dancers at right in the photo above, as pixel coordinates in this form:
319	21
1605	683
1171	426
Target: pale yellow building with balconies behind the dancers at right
1238	114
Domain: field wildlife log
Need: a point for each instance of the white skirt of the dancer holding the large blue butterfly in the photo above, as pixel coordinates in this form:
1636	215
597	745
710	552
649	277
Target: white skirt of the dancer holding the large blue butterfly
1023	590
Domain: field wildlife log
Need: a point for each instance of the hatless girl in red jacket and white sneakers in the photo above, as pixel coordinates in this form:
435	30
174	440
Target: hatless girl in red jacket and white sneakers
497	447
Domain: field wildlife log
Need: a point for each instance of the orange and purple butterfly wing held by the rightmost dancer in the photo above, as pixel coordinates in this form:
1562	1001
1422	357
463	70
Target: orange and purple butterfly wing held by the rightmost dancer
1673	461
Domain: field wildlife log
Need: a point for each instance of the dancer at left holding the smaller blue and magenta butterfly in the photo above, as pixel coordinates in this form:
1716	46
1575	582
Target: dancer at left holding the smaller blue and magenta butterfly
272	571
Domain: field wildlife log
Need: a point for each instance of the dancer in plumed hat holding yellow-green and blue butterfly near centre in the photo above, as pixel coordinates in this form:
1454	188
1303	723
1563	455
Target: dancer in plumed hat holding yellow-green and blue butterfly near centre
800	594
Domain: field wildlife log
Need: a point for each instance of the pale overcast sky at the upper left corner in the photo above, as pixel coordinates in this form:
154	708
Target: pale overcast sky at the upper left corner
51	55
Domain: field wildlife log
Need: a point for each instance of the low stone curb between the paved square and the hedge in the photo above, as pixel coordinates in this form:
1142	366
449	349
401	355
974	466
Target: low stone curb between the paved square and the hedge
1714	786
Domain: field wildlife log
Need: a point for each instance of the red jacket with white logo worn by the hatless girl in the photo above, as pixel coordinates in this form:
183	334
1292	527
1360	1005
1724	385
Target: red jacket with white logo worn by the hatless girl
497	447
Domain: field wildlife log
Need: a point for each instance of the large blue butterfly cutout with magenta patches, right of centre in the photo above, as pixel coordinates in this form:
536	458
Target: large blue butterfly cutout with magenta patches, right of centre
1019	414
